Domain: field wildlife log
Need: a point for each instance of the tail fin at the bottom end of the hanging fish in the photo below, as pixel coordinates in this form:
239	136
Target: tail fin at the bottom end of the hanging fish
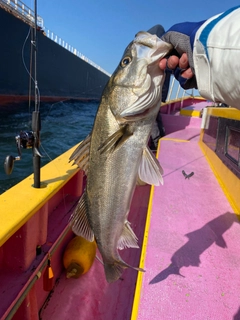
113	271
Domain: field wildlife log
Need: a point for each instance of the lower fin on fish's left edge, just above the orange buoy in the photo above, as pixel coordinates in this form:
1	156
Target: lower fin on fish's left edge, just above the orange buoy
79	220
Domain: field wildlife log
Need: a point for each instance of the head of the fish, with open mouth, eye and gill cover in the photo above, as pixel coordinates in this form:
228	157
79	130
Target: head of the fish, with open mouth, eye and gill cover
136	84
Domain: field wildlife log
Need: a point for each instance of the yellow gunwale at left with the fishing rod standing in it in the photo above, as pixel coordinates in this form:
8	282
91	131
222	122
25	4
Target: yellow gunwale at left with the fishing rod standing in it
21	202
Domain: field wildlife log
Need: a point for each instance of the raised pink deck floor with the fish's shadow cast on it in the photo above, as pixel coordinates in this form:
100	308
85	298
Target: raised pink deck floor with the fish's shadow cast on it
192	260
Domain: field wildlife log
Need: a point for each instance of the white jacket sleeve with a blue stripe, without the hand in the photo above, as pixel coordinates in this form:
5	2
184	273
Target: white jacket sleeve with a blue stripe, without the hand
216	56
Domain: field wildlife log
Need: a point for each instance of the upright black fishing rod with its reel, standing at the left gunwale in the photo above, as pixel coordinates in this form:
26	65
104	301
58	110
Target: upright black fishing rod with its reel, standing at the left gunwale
30	139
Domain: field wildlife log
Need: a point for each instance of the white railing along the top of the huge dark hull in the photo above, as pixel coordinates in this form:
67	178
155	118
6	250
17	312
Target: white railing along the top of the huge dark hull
27	14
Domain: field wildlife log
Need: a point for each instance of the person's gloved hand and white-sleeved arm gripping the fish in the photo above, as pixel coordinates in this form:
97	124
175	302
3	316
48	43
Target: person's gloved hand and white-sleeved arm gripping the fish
207	56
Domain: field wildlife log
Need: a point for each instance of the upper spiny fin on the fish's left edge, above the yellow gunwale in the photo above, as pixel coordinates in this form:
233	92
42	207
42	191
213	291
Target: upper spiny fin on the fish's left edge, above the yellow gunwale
80	156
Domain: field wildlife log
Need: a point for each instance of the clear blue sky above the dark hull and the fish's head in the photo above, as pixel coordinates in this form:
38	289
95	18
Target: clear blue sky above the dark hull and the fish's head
102	29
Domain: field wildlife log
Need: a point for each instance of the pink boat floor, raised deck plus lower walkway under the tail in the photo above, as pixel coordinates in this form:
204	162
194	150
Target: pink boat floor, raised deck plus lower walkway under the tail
190	247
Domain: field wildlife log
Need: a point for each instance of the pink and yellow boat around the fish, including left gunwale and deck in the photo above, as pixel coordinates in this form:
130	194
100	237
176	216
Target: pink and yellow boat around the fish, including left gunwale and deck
188	231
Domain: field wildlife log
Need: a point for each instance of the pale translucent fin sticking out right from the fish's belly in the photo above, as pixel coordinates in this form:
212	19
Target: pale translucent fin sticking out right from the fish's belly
150	170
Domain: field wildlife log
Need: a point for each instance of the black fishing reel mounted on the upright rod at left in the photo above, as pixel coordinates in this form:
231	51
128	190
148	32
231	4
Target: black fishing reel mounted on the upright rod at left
25	140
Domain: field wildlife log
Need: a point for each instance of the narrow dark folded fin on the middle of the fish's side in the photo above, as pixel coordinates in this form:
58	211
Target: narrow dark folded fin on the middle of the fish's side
115	140
